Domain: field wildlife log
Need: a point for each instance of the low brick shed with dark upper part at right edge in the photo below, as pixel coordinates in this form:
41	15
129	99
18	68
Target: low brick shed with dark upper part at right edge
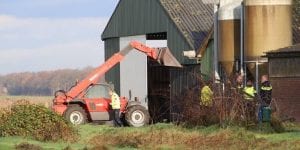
284	72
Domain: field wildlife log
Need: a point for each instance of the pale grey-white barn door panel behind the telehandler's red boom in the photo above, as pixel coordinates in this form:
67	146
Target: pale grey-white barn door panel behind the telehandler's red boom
133	71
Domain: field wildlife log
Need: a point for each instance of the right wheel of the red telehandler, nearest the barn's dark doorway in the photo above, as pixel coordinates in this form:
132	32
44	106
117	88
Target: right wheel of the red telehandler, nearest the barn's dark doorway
137	116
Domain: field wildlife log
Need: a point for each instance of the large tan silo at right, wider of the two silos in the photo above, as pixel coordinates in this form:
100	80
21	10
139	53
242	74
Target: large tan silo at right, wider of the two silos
268	26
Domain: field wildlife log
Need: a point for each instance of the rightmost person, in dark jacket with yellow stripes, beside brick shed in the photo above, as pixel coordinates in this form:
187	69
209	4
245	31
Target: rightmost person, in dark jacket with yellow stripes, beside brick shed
265	91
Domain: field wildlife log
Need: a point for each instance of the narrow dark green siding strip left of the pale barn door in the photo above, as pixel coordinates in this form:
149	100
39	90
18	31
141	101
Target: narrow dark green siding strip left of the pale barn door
112	46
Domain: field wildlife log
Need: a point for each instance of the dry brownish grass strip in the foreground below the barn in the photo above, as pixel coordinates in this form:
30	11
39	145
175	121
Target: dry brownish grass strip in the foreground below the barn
175	137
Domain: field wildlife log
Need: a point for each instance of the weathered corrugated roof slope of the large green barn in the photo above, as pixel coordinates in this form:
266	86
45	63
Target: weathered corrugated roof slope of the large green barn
193	18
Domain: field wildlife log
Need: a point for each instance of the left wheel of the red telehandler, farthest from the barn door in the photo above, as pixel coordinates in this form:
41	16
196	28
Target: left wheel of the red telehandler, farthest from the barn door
75	114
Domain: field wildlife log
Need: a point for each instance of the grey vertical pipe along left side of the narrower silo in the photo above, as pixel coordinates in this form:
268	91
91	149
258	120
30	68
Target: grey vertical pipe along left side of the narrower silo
216	44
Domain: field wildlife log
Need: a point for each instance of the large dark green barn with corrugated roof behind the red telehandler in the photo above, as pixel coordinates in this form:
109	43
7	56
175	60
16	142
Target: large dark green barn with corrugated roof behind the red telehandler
179	25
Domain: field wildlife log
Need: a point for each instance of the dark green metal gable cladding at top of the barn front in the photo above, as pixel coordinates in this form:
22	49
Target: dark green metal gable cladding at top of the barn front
136	17
